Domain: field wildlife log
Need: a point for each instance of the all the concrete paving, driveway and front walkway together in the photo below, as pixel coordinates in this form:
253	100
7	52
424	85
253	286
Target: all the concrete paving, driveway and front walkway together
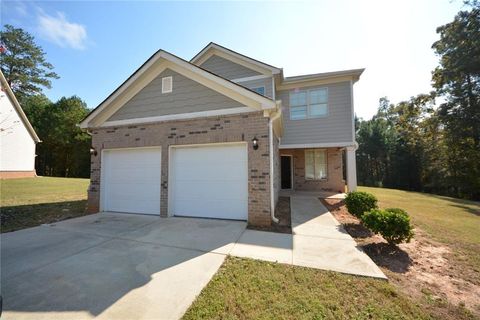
126	266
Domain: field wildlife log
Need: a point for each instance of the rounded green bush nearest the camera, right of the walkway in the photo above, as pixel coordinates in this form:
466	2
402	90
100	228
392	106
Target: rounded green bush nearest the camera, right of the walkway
392	224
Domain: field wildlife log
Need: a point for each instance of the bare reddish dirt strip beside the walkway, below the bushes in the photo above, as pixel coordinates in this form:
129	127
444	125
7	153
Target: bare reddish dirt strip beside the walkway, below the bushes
423	268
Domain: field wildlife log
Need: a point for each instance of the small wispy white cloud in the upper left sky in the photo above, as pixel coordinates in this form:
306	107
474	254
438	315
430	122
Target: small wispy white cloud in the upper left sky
60	31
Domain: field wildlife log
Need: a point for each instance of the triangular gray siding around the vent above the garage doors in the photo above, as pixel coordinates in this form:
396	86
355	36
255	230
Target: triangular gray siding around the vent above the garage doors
187	96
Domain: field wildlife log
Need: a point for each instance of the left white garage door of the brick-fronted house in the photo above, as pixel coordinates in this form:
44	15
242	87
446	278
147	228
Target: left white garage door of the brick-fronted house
131	180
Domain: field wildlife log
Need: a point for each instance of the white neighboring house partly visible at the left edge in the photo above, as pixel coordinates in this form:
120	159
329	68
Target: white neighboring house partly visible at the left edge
17	137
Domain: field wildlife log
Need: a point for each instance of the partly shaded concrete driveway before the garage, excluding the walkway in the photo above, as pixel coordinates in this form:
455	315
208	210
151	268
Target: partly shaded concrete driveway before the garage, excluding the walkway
112	266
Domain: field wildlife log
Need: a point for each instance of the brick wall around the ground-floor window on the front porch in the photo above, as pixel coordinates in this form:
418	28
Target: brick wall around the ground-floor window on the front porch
334	181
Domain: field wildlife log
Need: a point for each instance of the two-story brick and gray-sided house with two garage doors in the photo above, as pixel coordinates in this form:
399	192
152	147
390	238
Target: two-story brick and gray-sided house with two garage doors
219	136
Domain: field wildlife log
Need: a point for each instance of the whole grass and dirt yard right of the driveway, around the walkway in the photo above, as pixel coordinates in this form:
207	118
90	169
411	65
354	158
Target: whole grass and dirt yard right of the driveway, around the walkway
434	277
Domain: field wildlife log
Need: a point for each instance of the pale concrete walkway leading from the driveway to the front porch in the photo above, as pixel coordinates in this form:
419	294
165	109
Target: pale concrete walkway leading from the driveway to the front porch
318	241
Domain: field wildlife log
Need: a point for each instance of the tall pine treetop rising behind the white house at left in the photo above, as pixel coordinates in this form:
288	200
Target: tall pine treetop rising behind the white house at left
23	63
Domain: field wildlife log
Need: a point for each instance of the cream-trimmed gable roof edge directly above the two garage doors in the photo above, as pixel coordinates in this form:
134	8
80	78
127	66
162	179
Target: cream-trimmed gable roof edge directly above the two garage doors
160	61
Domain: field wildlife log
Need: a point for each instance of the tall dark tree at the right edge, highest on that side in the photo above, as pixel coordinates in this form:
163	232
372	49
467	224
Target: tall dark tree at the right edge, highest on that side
457	80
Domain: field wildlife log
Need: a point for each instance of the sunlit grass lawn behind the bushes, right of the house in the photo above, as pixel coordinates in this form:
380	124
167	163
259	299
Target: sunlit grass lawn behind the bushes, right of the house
454	222
